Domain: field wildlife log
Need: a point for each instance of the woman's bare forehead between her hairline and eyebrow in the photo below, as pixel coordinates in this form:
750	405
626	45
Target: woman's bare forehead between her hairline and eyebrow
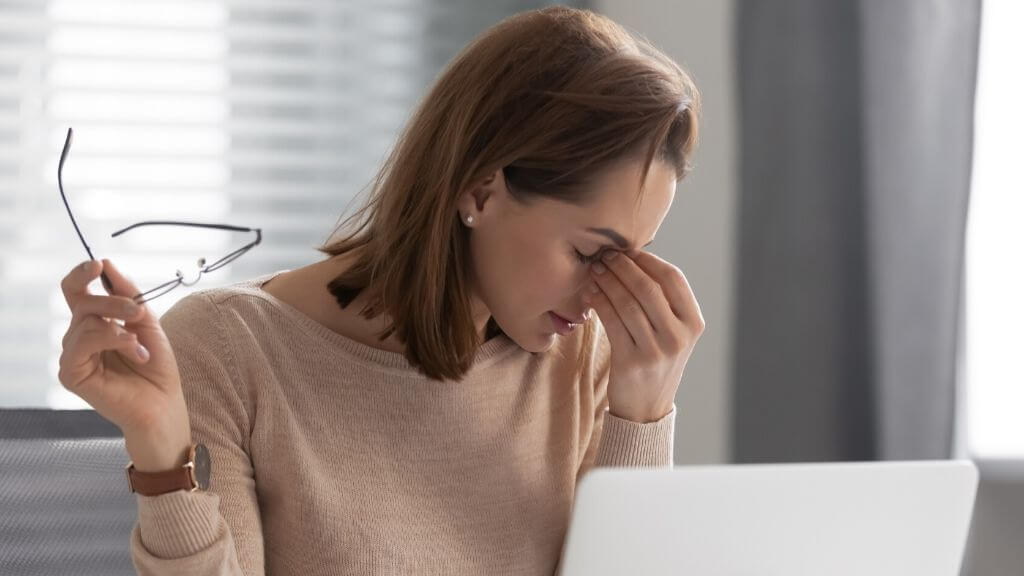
615	204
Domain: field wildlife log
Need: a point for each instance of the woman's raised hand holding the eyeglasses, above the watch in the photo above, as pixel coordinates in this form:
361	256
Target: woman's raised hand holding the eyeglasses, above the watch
138	390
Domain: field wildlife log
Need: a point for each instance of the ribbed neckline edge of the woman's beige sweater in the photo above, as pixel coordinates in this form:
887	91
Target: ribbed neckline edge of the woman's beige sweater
491	351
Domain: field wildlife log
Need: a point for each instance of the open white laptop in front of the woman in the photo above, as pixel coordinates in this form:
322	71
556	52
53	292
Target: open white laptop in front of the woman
841	519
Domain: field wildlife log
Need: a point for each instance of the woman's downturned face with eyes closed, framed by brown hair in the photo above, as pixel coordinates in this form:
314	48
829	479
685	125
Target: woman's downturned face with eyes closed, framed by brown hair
527	260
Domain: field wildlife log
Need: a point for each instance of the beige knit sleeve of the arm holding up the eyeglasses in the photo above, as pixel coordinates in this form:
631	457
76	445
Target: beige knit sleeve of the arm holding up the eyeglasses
218	532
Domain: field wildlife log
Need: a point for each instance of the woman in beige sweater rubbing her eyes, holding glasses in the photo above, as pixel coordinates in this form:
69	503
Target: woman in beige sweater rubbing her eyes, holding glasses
425	400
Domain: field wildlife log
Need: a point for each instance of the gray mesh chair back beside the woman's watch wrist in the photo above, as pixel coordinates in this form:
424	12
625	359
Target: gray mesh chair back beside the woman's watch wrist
65	505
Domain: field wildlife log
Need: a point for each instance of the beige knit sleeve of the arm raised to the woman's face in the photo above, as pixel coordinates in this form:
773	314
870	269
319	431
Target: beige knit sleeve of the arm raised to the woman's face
617	442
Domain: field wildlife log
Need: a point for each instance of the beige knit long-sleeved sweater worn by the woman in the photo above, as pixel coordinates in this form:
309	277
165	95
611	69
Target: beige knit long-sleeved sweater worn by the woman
332	458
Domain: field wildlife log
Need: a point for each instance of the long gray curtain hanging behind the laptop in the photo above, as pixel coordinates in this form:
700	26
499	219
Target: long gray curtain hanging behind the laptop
857	140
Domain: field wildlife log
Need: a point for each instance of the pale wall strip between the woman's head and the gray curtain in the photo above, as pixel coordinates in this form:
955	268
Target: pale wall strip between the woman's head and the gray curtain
698	235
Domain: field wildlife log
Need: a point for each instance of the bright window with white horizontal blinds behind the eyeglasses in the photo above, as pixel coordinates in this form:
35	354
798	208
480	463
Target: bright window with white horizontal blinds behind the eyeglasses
271	115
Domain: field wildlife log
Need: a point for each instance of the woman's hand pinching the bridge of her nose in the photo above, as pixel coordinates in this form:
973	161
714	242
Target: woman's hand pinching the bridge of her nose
654	322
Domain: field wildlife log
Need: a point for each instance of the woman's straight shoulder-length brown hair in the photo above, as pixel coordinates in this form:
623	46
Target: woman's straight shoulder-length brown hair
550	97
